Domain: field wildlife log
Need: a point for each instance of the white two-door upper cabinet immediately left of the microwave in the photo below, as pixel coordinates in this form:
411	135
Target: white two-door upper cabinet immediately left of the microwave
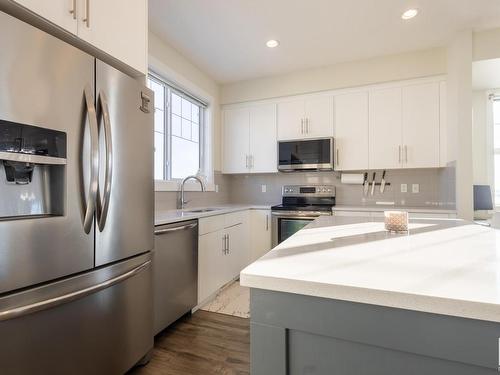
250	144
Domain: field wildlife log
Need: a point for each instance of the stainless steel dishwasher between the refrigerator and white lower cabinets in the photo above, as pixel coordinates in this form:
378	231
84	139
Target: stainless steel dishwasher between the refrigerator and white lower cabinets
175	272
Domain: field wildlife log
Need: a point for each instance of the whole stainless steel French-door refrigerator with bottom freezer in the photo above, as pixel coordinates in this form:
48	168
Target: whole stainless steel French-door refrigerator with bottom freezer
76	209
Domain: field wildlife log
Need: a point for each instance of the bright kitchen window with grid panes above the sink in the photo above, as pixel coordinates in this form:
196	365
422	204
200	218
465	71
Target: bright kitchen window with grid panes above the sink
179	131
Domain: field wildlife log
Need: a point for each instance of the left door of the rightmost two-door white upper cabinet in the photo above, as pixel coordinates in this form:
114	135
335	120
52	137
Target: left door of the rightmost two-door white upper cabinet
385	129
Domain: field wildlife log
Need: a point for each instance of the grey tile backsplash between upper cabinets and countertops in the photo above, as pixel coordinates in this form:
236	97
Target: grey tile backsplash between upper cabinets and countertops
436	189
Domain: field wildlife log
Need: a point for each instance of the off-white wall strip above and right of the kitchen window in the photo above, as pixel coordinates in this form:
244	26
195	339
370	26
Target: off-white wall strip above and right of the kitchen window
165	60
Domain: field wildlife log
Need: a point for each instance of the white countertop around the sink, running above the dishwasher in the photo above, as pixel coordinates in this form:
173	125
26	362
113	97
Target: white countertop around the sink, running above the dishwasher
173	216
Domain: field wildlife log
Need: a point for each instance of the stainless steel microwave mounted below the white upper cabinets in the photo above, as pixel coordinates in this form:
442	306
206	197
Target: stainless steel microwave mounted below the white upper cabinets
306	155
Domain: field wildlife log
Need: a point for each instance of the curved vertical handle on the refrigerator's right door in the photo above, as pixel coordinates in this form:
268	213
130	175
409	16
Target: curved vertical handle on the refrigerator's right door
102	209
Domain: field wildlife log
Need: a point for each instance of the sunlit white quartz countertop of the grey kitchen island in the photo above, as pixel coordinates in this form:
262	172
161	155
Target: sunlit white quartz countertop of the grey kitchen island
442	266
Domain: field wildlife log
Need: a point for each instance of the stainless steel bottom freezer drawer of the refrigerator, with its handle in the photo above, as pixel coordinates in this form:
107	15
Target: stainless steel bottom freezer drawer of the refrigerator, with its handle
99	322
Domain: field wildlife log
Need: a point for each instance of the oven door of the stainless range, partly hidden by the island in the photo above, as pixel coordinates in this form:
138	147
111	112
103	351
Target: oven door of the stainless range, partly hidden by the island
287	223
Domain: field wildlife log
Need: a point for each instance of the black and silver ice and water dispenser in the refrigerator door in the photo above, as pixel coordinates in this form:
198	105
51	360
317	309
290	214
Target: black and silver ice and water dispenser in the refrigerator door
32	171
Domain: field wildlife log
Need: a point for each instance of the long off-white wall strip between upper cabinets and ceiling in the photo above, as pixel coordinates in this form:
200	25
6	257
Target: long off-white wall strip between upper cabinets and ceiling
357	73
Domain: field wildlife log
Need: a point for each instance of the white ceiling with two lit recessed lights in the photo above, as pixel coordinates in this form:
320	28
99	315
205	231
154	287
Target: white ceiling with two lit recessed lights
226	38
